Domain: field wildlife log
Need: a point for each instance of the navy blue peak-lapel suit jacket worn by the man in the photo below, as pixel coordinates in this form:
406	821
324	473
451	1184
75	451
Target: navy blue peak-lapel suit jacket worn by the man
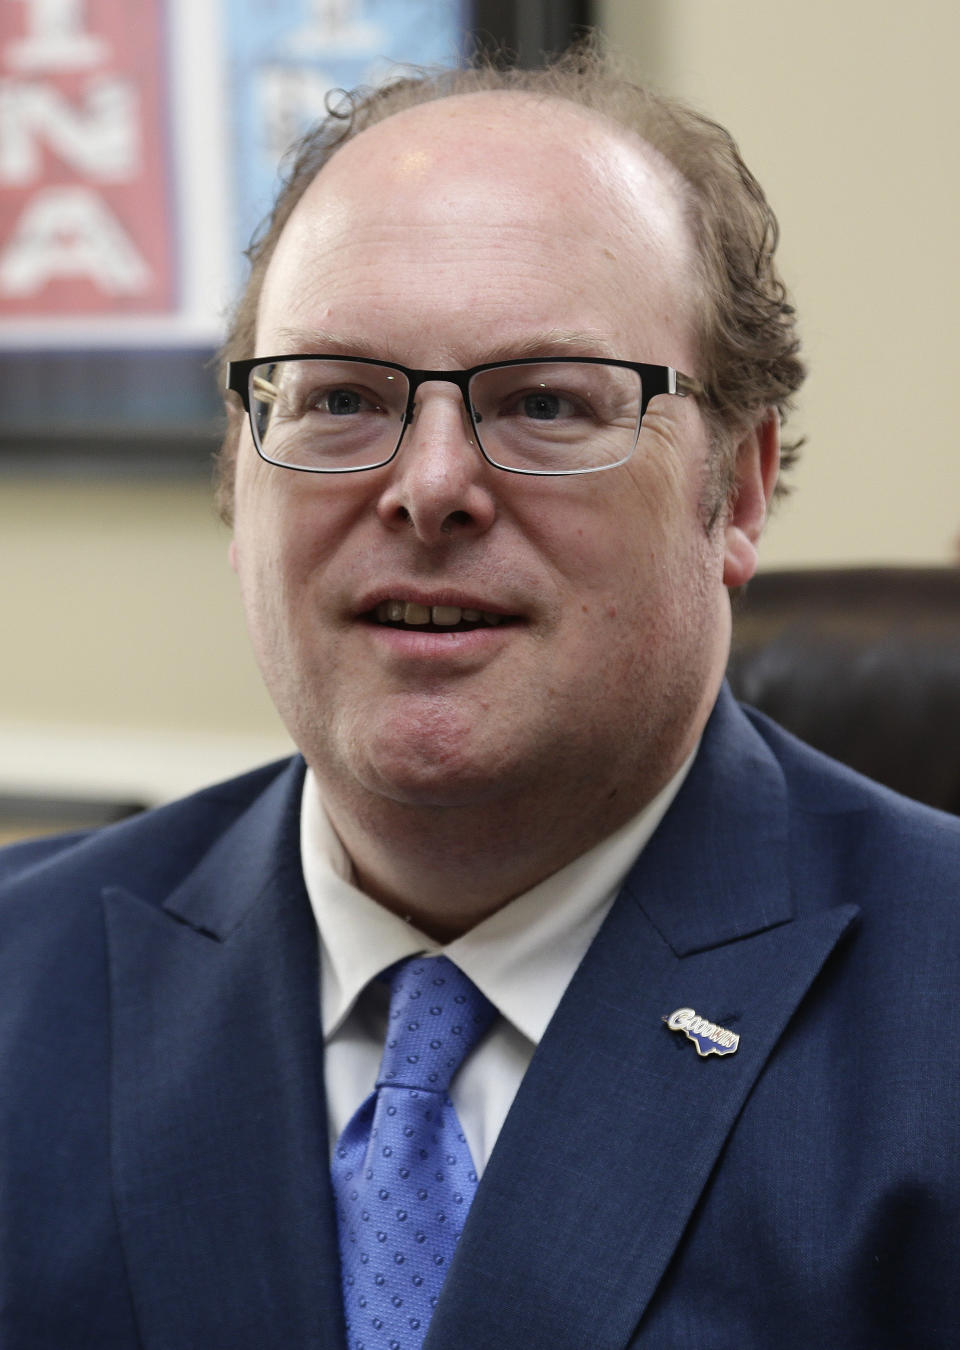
164	1152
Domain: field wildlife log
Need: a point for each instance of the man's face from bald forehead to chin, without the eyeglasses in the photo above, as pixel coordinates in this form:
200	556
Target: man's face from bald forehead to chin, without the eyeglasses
473	230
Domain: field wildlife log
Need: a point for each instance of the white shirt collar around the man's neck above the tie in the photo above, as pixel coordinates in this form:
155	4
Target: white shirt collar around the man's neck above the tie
522	958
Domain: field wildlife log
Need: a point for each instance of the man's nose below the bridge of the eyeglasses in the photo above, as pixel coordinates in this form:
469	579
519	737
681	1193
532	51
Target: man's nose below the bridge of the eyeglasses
439	483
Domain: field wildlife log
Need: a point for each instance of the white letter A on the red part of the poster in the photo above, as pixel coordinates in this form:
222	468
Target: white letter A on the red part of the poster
71	233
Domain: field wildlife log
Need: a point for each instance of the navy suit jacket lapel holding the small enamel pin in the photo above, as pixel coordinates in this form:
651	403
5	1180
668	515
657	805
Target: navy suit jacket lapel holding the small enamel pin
619	1123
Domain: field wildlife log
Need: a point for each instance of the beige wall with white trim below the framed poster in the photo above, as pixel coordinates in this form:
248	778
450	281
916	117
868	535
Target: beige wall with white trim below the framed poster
125	661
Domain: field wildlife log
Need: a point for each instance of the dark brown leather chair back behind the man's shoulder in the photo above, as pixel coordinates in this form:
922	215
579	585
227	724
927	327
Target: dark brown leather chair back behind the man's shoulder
862	664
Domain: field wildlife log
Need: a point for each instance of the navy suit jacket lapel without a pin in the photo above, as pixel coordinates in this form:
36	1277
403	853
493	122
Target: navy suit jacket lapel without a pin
219	1127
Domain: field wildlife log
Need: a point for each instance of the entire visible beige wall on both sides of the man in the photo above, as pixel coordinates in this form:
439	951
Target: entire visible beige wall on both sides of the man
125	664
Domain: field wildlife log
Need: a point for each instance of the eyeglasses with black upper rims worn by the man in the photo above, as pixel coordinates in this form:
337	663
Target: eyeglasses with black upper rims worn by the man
342	415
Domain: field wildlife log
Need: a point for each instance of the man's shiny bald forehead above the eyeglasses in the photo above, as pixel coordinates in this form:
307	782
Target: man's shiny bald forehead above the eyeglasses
500	203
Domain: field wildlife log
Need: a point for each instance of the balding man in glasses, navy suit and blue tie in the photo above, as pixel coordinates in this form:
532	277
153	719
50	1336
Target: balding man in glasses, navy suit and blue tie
703	973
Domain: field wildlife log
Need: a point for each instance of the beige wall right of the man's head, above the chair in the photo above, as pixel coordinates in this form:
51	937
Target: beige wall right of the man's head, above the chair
849	111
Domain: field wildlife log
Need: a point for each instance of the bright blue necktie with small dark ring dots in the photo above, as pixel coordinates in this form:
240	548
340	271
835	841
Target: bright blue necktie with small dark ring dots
403	1172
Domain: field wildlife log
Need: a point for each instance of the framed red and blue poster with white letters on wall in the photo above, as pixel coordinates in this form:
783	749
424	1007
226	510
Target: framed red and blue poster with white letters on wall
140	149
